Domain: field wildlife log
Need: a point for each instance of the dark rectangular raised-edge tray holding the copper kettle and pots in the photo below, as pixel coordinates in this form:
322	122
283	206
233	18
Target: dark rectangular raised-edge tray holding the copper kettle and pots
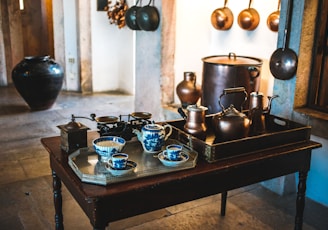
279	132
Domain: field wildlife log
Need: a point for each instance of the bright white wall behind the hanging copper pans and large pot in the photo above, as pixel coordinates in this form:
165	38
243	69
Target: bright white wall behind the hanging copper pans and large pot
197	38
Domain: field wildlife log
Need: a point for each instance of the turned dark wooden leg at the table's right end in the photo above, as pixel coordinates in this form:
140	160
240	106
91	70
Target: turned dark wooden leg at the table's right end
300	200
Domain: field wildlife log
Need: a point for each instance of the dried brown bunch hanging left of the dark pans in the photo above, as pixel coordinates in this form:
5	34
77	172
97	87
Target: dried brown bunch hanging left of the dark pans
116	12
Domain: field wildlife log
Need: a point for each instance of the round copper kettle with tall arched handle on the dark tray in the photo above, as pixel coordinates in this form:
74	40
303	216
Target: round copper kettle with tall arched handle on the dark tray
230	124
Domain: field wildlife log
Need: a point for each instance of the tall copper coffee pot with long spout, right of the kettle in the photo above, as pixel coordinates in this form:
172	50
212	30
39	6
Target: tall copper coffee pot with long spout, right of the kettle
257	113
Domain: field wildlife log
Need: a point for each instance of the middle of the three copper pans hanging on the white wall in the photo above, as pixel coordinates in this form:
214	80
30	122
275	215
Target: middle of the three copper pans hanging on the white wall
249	18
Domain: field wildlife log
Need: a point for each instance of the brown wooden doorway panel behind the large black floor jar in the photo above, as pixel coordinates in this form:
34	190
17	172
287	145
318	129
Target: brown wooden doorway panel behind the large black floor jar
26	31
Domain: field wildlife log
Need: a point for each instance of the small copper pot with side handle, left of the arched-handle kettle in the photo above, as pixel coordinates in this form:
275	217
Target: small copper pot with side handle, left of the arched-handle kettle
195	120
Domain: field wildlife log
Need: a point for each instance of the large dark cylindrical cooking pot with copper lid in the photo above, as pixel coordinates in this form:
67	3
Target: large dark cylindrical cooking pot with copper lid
228	71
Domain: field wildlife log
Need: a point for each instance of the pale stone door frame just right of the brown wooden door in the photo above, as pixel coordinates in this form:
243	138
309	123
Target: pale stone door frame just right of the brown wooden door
72	38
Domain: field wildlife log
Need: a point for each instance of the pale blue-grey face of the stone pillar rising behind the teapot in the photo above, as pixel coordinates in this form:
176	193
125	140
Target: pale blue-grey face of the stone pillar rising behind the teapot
148	96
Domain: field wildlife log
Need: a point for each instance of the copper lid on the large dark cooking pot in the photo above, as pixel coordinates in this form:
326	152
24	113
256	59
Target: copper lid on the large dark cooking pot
232	59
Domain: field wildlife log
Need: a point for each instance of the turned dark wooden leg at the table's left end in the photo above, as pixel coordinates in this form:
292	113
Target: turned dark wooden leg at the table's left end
57	201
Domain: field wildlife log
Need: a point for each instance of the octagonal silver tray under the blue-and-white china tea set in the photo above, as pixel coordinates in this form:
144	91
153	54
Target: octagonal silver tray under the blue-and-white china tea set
89	169
